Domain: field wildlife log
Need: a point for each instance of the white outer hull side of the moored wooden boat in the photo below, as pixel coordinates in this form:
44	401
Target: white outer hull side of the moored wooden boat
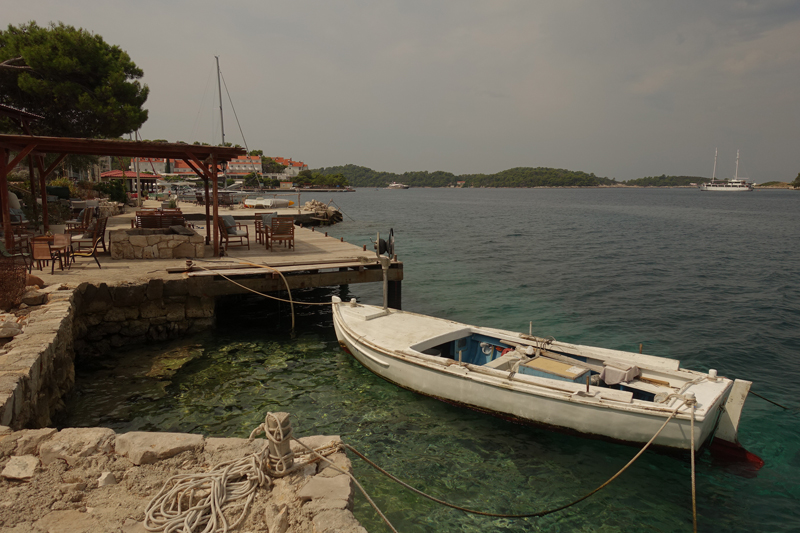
520	400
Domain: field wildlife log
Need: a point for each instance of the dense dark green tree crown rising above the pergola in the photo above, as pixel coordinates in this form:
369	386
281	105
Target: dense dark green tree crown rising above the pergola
82	86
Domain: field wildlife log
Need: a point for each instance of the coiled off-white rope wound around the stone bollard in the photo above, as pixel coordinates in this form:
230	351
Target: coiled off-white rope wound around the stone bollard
203	503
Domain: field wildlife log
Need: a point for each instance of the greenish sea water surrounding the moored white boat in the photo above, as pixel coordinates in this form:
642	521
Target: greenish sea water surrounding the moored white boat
708	278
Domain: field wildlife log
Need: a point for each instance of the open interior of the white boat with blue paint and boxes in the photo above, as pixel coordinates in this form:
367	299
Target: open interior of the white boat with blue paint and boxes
539	357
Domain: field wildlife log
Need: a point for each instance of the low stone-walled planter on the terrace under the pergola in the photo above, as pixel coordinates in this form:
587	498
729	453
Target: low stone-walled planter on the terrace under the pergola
165	243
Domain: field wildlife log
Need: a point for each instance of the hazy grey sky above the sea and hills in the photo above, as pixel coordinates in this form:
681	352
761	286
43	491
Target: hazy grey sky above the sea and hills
621	88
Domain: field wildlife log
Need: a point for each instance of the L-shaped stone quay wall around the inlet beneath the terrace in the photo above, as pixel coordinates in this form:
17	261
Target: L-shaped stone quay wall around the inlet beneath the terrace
37	368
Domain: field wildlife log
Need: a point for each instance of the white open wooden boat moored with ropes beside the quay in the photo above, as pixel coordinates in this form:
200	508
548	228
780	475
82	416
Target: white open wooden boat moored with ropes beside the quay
611	394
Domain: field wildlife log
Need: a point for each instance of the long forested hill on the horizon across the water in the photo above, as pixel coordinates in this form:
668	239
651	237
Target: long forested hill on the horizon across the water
514	177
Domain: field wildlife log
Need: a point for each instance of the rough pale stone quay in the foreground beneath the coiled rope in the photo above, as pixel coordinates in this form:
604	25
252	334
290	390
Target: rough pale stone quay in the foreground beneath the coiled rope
91	480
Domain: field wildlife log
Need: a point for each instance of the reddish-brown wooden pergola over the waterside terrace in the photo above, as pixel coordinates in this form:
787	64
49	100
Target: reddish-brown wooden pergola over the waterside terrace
206	162
